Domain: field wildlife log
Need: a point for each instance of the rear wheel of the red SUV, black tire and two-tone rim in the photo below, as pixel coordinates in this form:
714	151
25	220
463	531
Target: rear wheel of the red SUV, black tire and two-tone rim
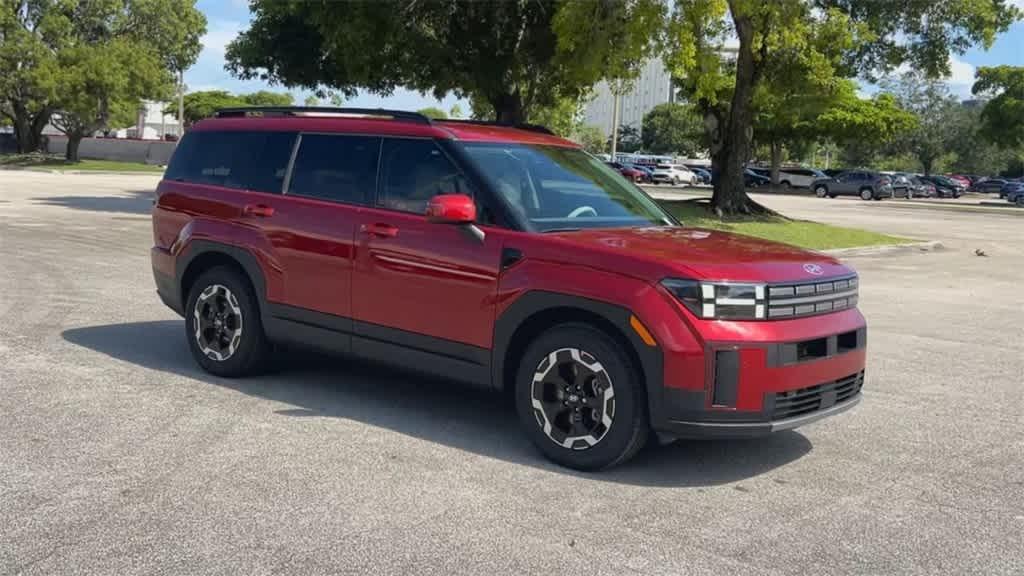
247	349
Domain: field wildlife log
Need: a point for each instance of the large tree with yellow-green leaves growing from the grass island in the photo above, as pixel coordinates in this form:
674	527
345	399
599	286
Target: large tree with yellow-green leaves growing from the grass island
861	38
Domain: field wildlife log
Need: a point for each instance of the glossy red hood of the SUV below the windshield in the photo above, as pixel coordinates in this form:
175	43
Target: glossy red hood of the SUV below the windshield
706	255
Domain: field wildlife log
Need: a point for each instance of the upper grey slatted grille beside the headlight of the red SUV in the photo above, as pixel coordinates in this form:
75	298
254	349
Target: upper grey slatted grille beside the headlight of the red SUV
809	299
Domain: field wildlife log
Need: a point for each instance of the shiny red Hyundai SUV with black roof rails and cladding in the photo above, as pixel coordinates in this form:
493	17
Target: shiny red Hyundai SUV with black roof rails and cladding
505	258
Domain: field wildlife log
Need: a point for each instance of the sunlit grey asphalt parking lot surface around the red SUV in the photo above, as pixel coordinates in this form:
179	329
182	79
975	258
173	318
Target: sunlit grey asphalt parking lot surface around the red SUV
119	457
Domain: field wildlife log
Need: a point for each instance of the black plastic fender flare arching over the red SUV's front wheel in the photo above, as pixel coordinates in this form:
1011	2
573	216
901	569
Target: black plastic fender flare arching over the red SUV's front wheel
535	302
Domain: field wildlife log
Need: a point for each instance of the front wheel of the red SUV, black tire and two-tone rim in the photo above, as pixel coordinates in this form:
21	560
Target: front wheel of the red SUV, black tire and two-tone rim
549	425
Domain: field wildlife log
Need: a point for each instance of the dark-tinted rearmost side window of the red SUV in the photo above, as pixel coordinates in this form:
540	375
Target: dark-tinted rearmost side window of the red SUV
255	161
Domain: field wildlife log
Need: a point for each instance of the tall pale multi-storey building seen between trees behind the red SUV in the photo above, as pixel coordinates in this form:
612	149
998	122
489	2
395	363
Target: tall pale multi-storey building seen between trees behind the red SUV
653	88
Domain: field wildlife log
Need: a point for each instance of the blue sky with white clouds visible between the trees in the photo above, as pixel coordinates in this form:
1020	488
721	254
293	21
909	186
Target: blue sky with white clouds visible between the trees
227	18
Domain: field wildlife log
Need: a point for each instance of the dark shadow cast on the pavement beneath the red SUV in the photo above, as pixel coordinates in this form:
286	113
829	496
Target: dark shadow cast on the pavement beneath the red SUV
435	410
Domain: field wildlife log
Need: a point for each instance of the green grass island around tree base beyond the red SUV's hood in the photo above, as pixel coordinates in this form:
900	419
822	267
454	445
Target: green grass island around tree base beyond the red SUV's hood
805	234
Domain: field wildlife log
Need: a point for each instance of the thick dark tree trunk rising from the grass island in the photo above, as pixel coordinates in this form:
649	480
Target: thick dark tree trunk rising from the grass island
731	194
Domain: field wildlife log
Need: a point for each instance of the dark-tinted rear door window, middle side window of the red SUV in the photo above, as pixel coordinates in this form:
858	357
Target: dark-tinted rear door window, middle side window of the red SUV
336	168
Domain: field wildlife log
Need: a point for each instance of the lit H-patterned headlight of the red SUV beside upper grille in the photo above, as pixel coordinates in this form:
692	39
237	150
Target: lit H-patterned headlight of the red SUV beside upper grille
719	300
